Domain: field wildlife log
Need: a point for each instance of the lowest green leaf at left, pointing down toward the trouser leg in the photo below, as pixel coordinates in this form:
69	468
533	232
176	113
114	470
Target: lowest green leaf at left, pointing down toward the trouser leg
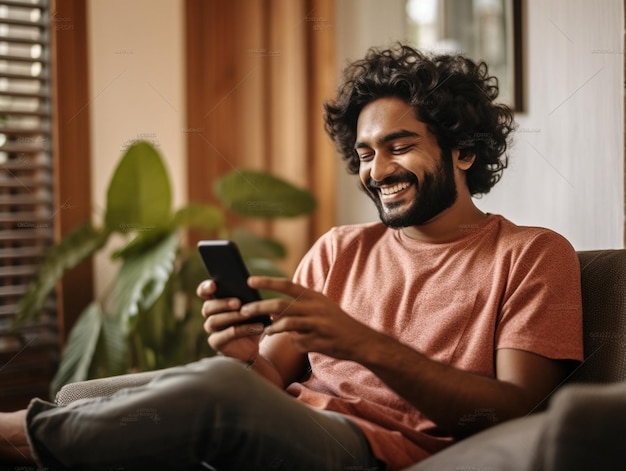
79	349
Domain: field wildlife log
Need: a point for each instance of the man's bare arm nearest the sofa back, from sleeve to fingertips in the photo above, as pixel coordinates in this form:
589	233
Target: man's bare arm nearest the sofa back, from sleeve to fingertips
458	401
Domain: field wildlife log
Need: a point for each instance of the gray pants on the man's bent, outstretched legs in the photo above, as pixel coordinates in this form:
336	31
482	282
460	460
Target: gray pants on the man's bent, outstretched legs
212	414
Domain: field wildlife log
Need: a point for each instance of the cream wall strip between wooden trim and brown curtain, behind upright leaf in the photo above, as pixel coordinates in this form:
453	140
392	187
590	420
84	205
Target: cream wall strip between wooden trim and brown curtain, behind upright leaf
136	71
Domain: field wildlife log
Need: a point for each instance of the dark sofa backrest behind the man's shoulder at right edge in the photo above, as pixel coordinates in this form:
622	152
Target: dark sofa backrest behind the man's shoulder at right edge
603	274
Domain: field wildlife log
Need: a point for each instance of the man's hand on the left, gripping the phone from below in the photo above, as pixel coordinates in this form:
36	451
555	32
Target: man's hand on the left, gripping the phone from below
226	335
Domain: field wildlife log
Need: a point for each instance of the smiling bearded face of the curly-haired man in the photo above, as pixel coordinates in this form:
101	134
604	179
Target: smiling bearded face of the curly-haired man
402	167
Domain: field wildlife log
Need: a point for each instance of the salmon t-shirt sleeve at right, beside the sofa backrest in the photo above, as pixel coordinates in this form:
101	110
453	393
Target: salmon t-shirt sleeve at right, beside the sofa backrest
542	307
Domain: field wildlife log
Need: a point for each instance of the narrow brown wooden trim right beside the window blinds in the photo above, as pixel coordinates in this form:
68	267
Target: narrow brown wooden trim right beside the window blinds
72	155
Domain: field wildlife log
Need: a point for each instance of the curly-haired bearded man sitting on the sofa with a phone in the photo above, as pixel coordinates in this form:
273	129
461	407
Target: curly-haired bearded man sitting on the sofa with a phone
394	338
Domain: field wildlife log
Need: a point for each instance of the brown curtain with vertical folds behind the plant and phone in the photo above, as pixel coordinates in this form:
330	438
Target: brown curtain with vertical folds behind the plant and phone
257	75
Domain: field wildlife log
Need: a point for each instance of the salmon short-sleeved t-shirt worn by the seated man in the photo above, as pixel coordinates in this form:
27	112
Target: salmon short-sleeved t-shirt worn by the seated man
499	286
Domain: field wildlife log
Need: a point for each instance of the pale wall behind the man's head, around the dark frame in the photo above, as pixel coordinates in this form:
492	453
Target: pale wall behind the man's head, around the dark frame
567	163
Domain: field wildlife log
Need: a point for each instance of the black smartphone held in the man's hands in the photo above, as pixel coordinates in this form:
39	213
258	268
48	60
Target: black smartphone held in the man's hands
226	267
